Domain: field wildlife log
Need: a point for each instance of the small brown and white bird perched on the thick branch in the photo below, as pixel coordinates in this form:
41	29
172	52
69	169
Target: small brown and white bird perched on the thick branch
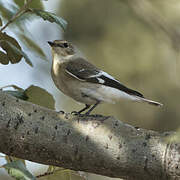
84	82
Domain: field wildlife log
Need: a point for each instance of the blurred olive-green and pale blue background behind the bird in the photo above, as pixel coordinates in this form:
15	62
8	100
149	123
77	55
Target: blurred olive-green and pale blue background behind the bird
136	41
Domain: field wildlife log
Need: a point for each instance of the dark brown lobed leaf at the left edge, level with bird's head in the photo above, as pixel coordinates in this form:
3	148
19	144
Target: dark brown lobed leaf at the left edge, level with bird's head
12	56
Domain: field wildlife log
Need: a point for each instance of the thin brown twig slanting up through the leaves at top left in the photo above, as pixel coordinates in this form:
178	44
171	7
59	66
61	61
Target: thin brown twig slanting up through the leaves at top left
18	14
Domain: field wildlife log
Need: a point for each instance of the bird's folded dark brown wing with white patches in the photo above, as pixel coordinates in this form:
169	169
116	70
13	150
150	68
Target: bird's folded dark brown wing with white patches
85	71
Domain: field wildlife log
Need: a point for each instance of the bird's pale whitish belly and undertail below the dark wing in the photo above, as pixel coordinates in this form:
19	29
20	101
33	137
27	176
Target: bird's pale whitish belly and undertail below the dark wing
90	93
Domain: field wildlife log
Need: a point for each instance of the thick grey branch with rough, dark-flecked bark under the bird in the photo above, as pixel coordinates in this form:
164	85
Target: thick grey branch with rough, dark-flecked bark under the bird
96	144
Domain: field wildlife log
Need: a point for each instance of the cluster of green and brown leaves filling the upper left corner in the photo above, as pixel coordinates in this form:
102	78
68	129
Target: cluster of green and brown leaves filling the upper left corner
18	14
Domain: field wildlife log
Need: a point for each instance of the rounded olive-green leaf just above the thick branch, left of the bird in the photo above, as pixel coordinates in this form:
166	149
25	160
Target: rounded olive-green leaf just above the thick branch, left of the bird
40	96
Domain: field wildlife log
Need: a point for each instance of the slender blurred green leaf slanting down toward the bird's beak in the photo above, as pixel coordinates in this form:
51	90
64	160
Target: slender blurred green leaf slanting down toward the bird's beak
33	46
